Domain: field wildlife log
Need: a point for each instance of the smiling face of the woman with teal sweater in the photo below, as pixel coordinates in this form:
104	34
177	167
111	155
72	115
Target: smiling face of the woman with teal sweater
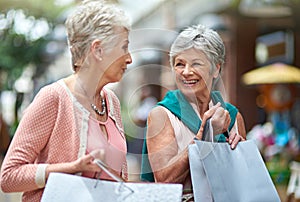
194	72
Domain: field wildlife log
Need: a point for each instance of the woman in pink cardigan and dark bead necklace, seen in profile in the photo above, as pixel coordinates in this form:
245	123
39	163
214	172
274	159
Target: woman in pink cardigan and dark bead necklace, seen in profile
72	120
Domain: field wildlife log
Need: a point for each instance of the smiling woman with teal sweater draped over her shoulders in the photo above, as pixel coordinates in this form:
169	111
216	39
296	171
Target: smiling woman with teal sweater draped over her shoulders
196	56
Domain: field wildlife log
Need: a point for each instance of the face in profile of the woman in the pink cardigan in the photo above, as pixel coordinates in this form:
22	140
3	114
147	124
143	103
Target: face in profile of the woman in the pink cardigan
117	57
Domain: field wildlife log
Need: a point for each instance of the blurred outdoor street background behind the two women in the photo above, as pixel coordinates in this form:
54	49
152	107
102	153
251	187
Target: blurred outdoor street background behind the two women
257	34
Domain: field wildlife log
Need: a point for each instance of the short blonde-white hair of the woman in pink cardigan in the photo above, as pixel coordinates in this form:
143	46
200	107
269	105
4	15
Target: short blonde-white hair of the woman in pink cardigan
92	19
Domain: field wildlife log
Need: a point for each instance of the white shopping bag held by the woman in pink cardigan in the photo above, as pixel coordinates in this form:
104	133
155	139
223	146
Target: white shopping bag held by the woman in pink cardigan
65	187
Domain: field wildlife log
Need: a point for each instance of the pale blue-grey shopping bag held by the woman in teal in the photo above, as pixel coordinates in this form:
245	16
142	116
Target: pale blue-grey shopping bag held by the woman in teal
221	174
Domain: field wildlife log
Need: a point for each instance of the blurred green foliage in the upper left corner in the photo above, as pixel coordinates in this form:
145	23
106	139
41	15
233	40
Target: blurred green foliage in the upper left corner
18	49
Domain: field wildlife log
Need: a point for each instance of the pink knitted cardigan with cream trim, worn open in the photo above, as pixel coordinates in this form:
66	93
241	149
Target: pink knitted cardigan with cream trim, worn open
52	130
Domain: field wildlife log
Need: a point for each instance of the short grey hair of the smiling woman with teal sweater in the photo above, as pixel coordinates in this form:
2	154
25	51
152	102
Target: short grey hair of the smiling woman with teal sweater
200	38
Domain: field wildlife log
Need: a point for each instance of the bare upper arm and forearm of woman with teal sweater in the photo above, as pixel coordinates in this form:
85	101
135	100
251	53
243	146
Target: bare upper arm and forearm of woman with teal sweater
167	164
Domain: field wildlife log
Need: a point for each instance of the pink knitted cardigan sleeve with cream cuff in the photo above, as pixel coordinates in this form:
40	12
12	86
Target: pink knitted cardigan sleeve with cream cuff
20	172
